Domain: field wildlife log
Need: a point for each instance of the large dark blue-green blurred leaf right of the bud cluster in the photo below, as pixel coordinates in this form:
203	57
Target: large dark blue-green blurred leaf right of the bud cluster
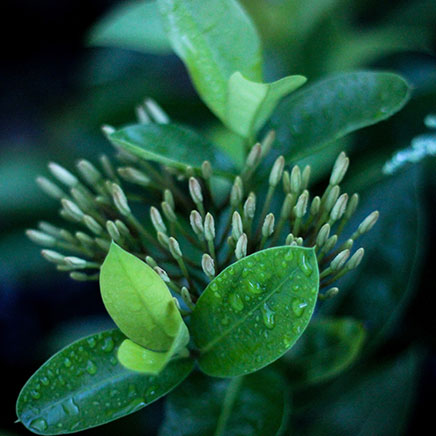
379	289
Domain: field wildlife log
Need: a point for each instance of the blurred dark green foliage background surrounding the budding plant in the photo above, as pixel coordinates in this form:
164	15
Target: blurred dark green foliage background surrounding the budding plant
71	73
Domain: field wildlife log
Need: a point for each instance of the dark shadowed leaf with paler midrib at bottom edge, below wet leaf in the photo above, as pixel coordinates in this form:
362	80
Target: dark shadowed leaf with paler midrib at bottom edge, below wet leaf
254	405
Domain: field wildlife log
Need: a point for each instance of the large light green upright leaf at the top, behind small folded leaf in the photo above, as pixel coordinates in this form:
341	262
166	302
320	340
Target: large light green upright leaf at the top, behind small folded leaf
214	38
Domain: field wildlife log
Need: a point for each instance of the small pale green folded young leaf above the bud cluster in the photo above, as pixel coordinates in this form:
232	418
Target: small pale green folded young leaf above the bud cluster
250	104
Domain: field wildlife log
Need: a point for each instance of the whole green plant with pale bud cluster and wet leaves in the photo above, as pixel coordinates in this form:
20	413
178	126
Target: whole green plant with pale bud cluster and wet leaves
207	264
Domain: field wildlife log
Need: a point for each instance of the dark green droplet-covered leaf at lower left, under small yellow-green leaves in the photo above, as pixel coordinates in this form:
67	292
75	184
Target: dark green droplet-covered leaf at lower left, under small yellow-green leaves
84	385
